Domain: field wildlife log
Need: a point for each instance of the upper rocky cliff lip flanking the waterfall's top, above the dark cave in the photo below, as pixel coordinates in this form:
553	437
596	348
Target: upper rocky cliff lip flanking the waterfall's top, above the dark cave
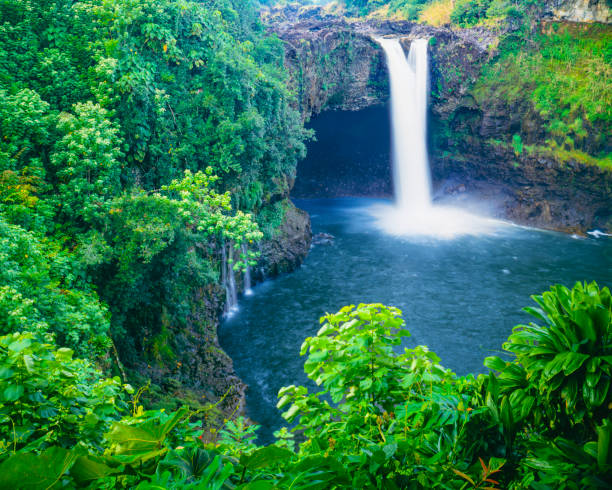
338	65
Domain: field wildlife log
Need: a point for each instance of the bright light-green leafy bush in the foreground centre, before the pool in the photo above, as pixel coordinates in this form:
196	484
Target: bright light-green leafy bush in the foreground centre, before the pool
389	412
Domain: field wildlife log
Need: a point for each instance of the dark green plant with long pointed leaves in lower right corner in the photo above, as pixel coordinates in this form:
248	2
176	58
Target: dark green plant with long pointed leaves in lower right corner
558	388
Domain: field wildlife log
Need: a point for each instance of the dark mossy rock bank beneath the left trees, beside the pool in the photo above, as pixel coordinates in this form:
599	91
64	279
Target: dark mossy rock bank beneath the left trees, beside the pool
189	365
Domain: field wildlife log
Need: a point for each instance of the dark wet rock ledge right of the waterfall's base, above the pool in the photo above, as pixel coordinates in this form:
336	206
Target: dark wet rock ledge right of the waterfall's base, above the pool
534	190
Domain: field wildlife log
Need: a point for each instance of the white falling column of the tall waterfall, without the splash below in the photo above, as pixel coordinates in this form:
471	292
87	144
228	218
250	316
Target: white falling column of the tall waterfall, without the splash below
409	88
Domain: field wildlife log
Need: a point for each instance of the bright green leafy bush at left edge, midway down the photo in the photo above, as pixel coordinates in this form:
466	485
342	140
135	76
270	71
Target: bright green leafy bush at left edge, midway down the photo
39	294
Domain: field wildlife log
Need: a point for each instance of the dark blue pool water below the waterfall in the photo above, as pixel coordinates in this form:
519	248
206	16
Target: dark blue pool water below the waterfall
461	297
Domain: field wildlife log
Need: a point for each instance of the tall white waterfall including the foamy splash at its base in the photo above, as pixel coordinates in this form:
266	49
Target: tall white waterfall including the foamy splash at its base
413	212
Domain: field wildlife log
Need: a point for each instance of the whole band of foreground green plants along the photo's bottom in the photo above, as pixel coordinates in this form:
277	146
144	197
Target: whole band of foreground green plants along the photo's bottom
382	419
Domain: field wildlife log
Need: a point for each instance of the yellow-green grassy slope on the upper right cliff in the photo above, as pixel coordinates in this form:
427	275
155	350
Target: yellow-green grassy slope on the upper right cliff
566	72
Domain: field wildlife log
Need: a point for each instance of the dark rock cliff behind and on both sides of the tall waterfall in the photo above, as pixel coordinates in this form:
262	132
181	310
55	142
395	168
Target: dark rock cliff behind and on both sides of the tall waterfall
337	65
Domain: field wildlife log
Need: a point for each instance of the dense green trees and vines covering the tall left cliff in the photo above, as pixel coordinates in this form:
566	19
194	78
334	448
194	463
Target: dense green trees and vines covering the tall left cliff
114	117
